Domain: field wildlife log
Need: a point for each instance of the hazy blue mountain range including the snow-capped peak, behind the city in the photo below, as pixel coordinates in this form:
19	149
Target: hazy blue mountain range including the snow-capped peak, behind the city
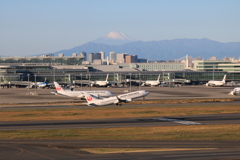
157	50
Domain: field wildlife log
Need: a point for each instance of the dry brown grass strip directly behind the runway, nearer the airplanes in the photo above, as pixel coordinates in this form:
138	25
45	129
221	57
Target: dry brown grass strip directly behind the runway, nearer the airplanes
115	112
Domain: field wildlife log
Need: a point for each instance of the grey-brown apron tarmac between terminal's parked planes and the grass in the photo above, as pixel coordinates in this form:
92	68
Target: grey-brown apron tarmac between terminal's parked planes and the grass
30	96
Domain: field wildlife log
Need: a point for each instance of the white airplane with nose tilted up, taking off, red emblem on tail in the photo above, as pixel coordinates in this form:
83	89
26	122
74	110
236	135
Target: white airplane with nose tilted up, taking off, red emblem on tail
92	101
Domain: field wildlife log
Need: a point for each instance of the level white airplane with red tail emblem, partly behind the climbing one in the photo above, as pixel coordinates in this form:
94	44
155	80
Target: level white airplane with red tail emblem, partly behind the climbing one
79	94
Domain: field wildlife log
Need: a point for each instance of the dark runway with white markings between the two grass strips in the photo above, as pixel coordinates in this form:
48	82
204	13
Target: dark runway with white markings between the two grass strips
124	122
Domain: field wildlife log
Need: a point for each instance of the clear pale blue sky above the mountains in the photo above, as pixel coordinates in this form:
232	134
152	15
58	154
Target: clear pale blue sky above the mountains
30	27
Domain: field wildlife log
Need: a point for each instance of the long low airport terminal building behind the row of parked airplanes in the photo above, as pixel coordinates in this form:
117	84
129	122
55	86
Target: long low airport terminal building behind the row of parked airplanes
70	70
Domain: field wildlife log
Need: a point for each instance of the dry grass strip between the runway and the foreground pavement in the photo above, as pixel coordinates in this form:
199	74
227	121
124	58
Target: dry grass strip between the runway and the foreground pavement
230	132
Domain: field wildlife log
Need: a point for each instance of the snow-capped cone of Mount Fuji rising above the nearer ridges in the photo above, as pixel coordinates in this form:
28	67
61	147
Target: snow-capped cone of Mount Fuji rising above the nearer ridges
114	38
